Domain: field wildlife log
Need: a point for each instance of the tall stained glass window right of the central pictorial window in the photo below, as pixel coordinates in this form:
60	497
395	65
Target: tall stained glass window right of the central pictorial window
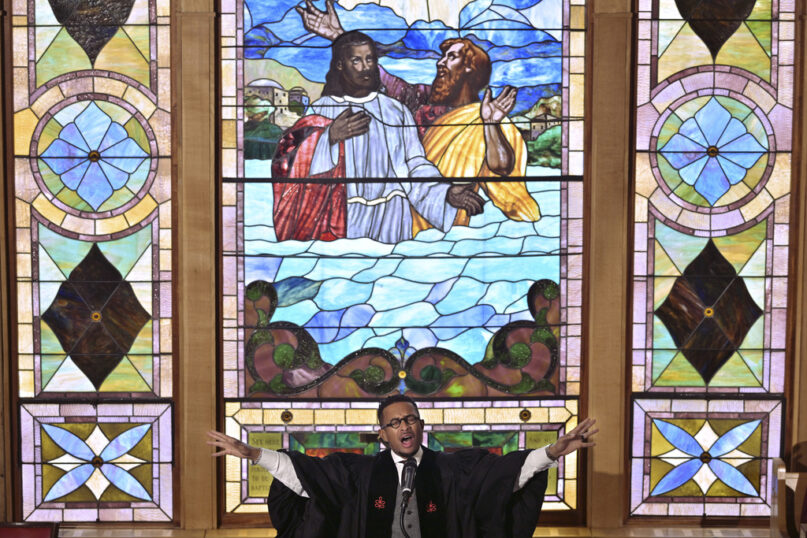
712	221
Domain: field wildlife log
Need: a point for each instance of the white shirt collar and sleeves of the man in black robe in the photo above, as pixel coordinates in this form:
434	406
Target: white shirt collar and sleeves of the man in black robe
280	466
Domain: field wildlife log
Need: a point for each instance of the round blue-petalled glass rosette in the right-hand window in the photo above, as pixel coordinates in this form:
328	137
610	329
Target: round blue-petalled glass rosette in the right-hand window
712	151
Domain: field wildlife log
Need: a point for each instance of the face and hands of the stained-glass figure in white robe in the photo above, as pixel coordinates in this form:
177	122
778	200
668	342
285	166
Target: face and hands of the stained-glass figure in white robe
356	68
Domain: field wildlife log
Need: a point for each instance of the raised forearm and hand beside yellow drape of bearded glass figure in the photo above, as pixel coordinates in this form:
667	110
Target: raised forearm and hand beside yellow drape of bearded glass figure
499	155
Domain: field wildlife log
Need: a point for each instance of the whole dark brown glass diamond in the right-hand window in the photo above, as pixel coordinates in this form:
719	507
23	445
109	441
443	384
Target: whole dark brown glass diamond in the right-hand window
708	311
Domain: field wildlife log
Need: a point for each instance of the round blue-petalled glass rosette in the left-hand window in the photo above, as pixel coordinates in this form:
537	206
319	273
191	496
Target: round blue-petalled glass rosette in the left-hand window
94	157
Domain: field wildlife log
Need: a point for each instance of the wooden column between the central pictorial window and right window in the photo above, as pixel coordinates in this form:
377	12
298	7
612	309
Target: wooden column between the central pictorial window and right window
609	248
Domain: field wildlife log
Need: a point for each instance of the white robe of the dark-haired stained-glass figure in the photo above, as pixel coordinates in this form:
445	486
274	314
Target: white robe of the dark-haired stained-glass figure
390	149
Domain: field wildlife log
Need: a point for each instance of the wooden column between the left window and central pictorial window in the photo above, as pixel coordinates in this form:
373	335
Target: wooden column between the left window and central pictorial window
196	289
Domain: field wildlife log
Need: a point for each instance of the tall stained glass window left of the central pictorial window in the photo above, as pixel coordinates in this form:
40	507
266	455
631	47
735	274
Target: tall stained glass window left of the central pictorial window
92	217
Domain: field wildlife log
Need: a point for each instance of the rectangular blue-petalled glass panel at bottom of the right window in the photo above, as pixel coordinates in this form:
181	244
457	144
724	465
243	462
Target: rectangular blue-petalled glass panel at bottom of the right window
702	457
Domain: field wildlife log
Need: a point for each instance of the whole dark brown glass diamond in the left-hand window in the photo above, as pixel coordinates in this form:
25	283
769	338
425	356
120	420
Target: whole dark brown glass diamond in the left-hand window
96	316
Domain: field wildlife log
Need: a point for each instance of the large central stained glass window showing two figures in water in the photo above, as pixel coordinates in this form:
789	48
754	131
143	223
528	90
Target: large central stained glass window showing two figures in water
401	203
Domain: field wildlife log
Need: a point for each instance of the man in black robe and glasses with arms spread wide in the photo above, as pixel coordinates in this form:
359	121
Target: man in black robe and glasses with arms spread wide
468	493
